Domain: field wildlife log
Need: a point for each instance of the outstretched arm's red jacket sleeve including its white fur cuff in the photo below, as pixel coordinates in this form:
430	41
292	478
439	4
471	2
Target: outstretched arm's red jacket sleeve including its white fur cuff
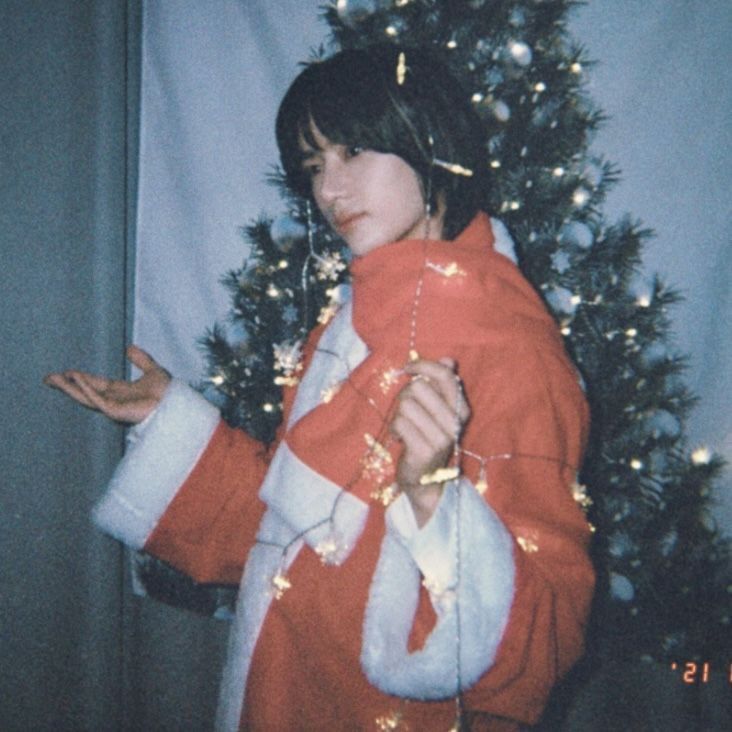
186	489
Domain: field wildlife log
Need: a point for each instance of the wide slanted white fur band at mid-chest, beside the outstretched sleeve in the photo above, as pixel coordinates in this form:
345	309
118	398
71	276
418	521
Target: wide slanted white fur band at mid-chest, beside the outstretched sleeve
303	499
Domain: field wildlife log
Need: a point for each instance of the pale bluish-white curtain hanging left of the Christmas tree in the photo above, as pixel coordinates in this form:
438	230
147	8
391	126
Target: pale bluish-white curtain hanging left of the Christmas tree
212	77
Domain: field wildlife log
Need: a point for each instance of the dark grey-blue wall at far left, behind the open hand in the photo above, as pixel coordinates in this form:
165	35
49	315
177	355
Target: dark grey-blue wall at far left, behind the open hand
62	279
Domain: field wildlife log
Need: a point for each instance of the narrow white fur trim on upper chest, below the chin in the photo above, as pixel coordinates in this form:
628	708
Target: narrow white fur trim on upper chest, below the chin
339	351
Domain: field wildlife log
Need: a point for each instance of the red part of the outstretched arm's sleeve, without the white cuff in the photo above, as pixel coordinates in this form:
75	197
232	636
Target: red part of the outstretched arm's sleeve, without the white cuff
211	522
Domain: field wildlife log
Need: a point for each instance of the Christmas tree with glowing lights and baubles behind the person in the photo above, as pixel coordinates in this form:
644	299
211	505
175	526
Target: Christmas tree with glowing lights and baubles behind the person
663	570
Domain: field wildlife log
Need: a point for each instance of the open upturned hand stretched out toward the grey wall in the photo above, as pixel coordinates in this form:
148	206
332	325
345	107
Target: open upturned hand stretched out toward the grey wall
122	401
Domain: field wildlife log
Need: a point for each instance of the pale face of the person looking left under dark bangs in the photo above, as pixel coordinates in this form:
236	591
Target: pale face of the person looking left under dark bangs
369	198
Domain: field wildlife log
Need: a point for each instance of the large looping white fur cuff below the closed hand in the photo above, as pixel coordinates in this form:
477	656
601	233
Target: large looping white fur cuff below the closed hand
478	591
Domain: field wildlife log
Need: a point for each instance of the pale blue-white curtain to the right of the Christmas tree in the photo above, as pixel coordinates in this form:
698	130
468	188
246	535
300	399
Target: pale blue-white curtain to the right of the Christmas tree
664	77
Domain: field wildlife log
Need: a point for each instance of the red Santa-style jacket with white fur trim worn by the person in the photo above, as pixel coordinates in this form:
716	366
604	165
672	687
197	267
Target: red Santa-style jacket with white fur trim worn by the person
355	641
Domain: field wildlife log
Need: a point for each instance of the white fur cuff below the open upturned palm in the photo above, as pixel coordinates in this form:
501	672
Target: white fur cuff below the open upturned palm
156	464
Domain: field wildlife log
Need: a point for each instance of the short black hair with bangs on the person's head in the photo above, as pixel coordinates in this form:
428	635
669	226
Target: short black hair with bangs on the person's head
390	99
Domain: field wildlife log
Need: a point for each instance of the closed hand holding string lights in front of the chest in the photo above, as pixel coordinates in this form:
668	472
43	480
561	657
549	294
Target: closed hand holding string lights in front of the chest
427	423
